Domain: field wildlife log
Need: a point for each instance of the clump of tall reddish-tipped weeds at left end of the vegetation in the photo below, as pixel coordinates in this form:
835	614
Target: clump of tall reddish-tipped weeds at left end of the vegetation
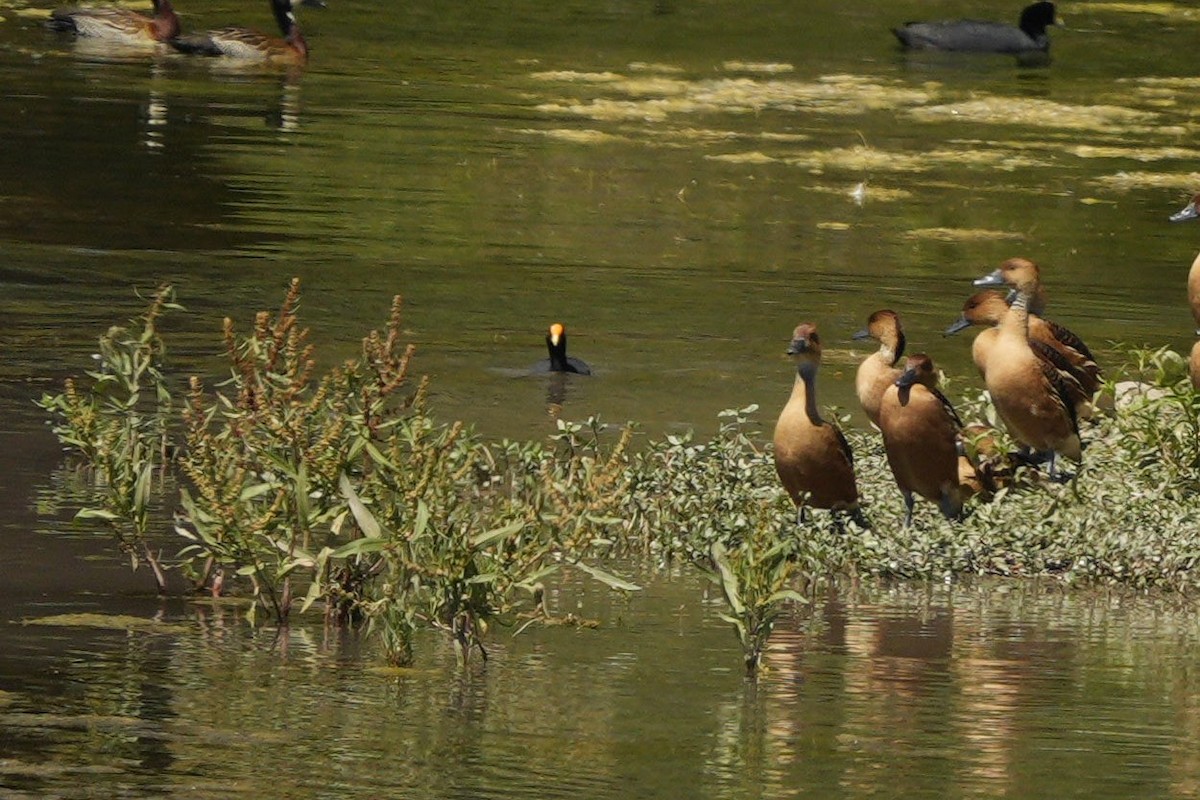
340	485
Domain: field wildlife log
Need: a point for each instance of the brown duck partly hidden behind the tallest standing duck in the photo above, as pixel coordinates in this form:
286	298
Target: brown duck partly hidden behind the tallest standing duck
991	308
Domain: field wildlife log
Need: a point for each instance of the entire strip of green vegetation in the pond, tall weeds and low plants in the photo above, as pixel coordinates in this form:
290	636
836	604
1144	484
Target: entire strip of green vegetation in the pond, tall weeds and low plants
339	489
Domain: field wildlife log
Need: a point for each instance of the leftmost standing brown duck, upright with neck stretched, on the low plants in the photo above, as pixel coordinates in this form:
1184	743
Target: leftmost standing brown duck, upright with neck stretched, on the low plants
813	458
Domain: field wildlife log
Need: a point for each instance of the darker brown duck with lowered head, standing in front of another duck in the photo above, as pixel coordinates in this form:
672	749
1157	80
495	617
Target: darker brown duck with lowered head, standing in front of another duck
922	440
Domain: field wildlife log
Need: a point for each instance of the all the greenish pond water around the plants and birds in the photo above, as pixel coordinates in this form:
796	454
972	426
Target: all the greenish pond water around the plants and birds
681	184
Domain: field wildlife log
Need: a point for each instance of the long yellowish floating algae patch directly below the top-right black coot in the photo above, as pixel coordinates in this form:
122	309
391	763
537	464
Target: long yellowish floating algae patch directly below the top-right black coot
1041	113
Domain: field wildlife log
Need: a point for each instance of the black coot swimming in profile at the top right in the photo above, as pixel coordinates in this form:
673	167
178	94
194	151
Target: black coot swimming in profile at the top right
982	37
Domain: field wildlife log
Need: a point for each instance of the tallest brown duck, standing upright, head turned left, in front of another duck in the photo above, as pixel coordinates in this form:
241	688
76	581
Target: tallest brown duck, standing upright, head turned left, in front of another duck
1029	393
